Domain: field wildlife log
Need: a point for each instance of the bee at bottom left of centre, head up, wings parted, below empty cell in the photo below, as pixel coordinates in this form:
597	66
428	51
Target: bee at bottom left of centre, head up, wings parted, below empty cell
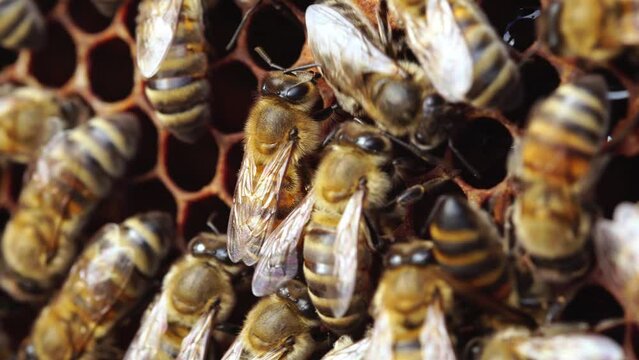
196	294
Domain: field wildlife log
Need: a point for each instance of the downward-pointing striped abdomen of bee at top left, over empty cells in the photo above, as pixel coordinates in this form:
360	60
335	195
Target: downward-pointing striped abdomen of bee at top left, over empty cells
179	92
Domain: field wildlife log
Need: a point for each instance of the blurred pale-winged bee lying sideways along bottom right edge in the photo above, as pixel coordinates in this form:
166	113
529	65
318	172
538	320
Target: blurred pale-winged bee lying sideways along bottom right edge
516	343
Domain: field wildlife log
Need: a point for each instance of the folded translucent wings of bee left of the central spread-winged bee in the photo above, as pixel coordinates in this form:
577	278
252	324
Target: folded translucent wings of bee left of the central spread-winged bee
254	207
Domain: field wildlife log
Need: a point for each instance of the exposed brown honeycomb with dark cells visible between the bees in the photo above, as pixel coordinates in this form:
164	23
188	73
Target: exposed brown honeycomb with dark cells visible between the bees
93	57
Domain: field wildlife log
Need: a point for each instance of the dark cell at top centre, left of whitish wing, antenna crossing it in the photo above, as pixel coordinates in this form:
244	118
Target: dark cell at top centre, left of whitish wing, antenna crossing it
278	33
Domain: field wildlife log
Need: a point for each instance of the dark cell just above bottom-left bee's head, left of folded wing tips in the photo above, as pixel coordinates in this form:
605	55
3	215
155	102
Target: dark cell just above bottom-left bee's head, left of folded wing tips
199	212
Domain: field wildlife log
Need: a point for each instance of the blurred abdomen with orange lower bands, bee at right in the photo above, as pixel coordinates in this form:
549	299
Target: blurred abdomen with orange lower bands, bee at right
564	135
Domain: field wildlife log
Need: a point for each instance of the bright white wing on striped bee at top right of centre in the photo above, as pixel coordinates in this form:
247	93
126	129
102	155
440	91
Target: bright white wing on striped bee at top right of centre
439	45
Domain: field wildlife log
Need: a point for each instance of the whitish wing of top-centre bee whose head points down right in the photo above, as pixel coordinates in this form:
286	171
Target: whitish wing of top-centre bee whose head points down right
344	52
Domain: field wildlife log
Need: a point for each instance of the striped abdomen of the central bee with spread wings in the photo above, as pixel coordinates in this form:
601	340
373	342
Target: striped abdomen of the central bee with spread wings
318	265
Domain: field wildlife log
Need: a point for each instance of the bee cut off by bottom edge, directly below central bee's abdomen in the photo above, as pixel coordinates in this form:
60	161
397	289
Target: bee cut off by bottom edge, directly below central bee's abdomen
280	326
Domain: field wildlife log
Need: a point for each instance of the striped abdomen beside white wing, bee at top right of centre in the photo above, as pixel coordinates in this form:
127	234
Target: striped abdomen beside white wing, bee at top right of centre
495	76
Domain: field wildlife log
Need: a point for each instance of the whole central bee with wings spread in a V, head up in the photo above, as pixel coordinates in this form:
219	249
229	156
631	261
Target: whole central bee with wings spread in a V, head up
349	181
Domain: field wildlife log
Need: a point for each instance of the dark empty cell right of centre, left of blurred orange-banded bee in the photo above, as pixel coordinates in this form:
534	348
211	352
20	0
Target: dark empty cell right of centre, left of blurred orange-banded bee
485	144
